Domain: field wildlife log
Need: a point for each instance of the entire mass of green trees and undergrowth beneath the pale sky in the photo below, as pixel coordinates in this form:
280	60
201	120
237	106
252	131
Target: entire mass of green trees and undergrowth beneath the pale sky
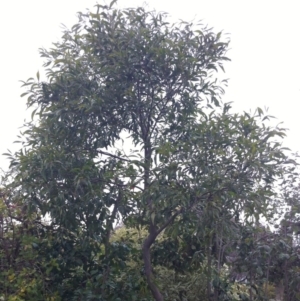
129	128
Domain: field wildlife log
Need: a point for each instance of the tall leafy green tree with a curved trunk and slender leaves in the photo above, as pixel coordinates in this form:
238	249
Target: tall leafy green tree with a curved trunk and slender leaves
186	157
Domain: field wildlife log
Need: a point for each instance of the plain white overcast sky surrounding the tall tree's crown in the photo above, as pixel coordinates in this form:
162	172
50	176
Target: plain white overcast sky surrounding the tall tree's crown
265	52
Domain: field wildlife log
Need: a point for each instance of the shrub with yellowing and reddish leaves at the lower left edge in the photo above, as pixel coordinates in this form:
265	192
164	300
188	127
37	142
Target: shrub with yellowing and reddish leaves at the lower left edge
23	268
